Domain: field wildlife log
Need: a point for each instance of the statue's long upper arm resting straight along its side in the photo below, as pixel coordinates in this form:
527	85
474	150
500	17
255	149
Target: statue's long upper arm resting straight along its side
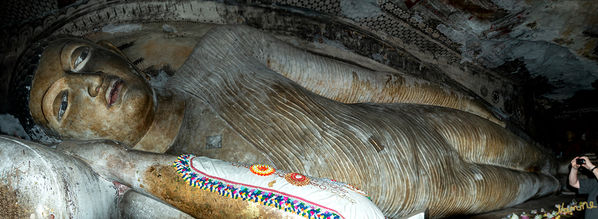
345	82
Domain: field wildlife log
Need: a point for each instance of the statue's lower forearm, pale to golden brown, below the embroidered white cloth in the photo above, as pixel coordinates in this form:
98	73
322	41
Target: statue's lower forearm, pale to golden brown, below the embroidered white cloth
154	175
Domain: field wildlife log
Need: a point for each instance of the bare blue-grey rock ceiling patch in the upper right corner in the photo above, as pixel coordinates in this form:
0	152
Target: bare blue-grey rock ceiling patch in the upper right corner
554	39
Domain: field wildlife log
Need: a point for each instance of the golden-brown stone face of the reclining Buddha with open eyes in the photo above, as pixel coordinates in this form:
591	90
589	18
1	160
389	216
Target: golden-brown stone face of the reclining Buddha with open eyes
83	90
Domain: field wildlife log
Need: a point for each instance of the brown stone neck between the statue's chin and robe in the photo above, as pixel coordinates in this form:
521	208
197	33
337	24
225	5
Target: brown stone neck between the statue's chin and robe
165	126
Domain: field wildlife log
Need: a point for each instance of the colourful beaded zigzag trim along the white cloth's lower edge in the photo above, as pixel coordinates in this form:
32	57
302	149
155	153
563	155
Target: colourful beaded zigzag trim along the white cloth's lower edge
264	196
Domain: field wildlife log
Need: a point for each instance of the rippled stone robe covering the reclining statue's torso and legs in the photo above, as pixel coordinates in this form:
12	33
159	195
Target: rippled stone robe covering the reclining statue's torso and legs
407	157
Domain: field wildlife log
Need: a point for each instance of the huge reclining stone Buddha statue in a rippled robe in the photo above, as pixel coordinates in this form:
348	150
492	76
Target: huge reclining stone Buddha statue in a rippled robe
245	96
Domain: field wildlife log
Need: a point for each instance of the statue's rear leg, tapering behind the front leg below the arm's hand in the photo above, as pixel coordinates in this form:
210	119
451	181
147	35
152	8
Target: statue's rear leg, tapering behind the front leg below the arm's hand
478	141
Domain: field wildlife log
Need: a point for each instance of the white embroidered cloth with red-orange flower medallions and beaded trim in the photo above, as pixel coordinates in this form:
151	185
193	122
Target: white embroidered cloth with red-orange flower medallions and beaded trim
292	192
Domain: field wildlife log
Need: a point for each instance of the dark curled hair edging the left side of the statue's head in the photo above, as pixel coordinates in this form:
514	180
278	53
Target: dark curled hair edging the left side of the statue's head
20	89
